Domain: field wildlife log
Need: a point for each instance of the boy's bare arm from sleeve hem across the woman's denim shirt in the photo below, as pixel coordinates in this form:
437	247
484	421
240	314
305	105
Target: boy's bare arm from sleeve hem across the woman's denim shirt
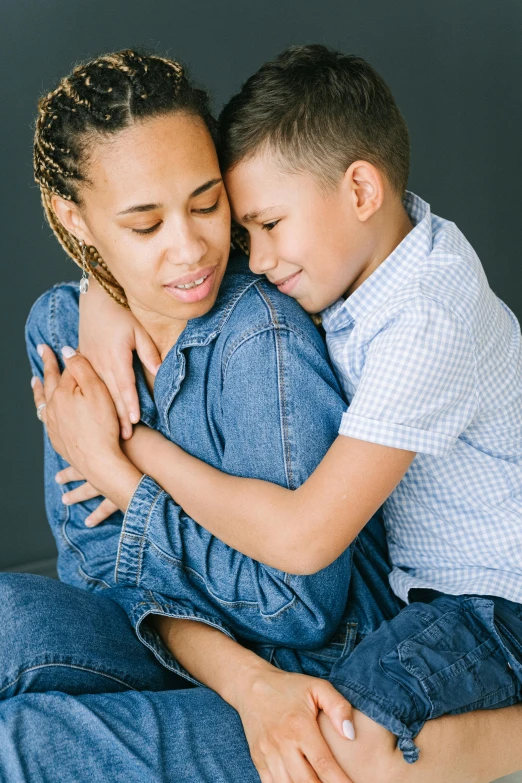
304	530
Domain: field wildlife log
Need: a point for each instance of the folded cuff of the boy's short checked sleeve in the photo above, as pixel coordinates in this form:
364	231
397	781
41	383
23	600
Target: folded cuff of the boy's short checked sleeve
398	436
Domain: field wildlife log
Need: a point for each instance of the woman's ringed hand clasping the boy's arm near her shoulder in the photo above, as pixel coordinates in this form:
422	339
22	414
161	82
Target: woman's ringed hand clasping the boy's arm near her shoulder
83	426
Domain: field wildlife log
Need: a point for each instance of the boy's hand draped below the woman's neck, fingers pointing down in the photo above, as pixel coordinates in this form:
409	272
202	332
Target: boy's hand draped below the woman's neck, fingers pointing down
108	335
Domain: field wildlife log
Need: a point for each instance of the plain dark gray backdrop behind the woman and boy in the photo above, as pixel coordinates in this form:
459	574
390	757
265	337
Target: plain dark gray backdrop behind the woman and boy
455	67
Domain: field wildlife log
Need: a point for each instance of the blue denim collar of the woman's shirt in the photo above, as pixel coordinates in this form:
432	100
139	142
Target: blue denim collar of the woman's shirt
199	332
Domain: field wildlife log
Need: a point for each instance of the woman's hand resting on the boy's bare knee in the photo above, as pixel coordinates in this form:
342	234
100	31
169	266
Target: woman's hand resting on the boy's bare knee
279	712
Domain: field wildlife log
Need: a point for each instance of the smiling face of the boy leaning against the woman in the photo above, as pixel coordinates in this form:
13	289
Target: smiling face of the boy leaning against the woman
309	243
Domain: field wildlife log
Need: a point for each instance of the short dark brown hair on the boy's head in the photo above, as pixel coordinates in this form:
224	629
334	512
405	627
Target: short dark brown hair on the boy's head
319	110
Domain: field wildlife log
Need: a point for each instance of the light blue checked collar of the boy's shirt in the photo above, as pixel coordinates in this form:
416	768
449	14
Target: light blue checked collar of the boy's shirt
391	274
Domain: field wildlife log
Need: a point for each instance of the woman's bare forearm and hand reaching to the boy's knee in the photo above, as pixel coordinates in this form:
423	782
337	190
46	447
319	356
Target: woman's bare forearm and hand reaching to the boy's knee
278	710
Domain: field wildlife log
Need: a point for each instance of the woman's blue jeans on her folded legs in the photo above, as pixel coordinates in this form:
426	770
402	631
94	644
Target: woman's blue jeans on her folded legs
83	700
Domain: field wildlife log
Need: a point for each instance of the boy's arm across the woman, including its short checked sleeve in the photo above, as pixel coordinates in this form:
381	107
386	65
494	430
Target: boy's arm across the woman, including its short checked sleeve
419	402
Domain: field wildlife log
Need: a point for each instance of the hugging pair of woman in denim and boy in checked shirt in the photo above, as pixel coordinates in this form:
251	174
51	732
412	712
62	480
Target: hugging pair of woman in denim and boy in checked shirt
332	549
